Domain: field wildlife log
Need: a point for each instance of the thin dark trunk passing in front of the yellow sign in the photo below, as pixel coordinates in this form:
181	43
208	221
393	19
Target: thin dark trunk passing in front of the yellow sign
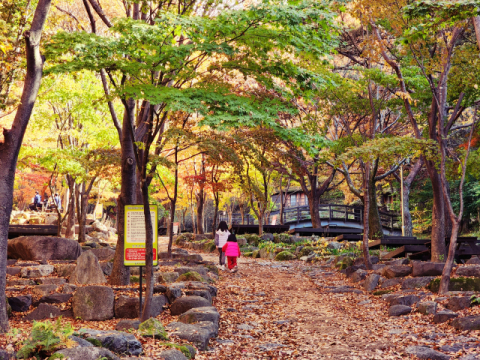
147	307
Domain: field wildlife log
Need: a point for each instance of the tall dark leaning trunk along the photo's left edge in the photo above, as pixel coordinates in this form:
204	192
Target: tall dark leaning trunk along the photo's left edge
13	140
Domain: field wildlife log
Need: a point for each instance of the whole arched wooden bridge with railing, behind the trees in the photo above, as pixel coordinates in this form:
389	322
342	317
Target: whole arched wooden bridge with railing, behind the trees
334	218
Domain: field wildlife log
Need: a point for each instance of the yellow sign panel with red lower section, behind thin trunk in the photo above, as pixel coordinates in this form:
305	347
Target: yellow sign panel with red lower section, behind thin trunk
135	235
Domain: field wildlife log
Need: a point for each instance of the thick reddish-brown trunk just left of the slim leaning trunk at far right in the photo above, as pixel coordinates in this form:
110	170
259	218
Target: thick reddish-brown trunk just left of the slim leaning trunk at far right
438	215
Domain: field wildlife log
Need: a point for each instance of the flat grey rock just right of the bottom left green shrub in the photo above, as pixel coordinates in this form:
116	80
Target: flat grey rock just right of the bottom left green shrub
116	341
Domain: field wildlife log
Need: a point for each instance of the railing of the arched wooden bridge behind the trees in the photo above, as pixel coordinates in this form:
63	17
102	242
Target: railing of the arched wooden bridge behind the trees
330	212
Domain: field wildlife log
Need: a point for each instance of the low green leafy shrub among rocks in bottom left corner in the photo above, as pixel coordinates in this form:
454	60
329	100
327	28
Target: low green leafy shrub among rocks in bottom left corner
46	338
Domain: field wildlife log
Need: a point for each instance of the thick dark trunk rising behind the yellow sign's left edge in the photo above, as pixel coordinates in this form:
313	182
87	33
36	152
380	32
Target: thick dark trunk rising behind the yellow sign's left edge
121	273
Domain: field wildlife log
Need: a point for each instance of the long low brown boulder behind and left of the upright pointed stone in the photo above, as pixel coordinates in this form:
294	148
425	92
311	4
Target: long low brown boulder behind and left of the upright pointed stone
43	248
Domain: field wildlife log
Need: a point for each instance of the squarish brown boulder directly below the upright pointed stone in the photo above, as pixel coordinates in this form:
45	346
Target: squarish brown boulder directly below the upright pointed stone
93	303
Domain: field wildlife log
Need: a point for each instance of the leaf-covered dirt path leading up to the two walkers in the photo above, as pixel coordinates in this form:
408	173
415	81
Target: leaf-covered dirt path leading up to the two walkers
280	311
